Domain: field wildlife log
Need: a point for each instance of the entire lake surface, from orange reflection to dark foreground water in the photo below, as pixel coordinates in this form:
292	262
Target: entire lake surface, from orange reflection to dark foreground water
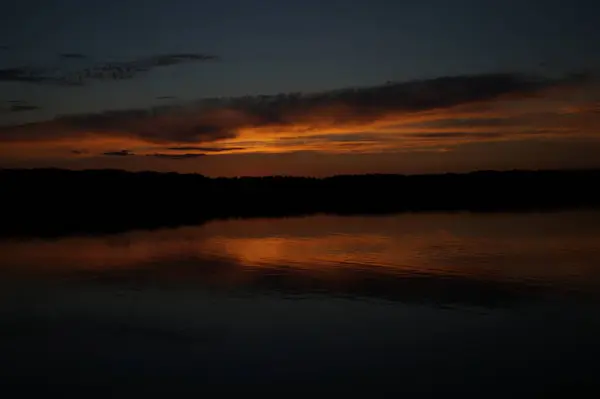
483	305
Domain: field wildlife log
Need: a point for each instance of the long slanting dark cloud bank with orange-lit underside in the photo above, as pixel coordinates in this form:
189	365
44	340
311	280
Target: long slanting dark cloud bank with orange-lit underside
389	117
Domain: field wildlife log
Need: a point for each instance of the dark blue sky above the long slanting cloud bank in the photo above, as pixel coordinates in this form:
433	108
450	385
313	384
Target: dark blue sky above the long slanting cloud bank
272	46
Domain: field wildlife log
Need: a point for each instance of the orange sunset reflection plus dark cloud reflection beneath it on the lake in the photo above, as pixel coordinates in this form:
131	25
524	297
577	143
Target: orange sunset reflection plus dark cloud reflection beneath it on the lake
482	259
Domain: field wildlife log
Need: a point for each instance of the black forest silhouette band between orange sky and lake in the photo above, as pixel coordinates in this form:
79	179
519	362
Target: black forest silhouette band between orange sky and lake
47	202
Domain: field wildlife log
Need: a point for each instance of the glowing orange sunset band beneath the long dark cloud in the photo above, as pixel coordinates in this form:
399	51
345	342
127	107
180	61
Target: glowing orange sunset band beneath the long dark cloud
555	113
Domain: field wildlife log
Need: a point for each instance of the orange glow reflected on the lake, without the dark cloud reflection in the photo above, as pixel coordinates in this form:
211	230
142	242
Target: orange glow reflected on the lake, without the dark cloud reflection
556	248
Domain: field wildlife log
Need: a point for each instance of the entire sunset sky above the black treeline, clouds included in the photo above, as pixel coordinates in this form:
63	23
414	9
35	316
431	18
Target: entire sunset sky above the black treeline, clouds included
271	87
